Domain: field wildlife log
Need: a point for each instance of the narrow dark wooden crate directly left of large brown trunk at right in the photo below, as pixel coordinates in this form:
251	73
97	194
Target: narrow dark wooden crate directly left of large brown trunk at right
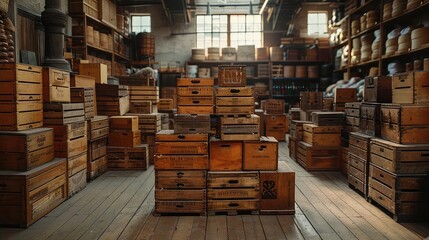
370	119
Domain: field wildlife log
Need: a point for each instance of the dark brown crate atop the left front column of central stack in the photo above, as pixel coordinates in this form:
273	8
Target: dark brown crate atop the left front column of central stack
191	123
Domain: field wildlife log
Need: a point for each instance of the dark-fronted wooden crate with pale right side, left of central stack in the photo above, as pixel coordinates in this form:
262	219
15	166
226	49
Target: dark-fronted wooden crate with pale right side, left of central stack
113	106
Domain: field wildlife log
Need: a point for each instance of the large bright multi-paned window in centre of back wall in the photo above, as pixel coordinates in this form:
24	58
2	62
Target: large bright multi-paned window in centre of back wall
228	30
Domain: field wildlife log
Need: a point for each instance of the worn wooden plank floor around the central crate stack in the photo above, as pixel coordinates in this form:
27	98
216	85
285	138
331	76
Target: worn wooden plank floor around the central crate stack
118	205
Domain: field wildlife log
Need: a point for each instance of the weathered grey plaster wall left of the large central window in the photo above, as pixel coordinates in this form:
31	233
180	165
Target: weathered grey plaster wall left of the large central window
169	46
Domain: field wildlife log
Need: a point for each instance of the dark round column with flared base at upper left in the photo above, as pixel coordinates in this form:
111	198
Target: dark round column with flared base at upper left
54	21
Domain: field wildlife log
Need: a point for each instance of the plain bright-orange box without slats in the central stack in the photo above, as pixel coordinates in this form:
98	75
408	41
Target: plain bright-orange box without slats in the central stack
225	155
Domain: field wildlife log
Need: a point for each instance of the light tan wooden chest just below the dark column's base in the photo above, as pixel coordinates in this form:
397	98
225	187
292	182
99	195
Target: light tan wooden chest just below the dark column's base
56	85
